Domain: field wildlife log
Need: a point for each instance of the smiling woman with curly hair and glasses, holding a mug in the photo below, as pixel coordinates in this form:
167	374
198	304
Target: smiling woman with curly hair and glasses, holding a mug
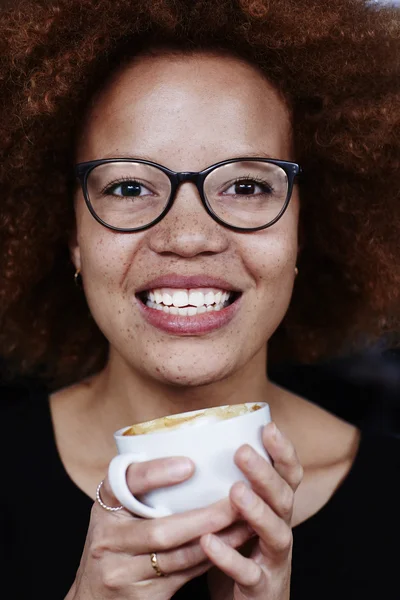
181	163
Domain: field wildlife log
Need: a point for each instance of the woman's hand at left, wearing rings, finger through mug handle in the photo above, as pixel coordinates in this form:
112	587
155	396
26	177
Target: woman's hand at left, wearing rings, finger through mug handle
116	559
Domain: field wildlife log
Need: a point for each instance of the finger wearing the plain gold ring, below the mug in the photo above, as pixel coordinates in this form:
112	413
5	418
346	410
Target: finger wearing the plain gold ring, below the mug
189	555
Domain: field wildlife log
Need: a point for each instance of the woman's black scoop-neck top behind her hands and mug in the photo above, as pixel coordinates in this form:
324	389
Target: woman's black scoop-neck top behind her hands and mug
349	550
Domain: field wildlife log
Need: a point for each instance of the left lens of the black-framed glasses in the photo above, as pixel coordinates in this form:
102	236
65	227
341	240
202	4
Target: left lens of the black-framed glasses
128	194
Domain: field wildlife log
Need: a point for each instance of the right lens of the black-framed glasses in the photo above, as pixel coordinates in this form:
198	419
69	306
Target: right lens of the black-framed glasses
247	193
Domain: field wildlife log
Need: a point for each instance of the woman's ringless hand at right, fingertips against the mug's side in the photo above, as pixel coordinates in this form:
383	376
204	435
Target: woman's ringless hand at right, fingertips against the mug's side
267	508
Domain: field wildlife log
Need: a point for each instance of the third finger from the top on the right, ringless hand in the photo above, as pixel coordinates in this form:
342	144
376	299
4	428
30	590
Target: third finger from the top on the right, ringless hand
275	536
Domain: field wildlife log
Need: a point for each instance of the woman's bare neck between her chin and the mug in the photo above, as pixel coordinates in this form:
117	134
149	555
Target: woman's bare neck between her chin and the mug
125	396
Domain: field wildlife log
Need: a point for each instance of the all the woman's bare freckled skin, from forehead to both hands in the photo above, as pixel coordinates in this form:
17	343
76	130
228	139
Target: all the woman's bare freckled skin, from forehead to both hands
187	113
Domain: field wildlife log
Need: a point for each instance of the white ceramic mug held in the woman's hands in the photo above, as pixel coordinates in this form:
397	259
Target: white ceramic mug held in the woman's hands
211	446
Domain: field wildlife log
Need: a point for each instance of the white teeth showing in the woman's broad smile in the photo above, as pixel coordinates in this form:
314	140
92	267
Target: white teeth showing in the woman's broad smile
187	302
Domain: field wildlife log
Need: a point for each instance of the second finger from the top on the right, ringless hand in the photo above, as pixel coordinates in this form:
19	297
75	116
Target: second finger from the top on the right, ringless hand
266	481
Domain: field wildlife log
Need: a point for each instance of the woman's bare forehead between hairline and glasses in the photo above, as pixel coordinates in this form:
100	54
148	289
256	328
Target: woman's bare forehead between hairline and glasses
187	112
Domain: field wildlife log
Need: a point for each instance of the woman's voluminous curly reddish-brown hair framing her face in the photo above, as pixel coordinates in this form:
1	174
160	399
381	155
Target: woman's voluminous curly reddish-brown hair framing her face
336	63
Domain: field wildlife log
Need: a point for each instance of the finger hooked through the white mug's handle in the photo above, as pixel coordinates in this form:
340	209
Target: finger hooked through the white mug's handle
147	476
